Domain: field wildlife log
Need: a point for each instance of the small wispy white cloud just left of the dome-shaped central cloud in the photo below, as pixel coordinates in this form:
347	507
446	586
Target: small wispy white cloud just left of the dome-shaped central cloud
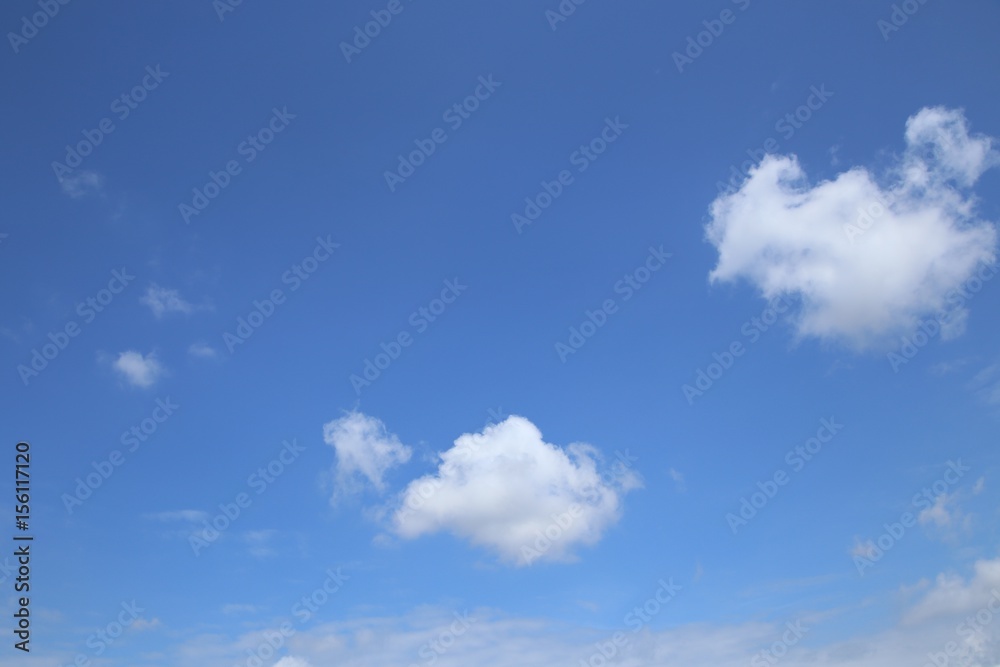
365	451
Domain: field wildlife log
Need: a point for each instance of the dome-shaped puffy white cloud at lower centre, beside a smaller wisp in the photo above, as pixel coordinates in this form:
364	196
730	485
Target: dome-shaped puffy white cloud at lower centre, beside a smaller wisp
510	491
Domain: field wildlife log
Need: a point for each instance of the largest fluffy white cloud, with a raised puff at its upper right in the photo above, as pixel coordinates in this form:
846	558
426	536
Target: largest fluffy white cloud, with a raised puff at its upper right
864	260
